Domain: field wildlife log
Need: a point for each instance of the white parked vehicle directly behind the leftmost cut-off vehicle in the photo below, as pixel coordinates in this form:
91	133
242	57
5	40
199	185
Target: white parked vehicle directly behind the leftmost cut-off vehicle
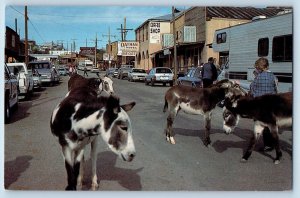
24	78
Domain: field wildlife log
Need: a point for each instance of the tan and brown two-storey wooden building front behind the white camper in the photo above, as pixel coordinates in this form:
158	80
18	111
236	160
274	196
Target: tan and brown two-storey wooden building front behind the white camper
194	32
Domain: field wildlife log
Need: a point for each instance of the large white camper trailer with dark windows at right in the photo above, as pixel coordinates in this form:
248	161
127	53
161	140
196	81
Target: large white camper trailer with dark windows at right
241	45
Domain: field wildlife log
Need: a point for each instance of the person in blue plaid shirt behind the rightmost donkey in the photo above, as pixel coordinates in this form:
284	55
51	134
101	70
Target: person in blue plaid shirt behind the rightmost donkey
265	82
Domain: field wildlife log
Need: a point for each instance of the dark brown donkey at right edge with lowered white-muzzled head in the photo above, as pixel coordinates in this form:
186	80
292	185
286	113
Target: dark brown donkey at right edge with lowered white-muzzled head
271	110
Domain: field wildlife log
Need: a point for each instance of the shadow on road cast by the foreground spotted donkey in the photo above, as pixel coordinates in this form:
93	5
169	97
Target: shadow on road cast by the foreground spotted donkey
106	170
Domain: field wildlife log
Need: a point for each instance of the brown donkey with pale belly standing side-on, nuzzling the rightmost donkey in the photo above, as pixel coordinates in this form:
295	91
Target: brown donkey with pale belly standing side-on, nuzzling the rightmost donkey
199	101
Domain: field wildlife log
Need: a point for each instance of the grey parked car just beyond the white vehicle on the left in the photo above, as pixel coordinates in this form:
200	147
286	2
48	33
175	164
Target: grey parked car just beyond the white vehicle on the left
45	69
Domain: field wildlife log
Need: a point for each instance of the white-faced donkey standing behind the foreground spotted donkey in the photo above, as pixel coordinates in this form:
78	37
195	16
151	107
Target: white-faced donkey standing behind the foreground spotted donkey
102	84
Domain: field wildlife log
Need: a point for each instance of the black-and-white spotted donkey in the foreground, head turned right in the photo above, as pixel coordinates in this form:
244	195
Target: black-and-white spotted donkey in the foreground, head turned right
79	119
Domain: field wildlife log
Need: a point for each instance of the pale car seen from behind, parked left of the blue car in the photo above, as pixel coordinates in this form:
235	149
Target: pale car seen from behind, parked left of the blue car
160	75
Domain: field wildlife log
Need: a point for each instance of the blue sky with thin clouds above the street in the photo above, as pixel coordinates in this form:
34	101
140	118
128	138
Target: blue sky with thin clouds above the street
80	23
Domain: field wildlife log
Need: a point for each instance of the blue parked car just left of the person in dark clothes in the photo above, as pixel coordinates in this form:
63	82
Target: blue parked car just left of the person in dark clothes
192	78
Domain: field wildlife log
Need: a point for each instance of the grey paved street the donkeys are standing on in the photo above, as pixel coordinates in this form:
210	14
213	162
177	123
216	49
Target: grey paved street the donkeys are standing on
33	159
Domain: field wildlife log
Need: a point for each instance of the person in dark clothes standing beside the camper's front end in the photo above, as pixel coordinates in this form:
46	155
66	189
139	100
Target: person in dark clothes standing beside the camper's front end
209	73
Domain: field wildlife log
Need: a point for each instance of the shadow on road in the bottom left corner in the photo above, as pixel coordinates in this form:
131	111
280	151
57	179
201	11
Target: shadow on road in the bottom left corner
13	169
